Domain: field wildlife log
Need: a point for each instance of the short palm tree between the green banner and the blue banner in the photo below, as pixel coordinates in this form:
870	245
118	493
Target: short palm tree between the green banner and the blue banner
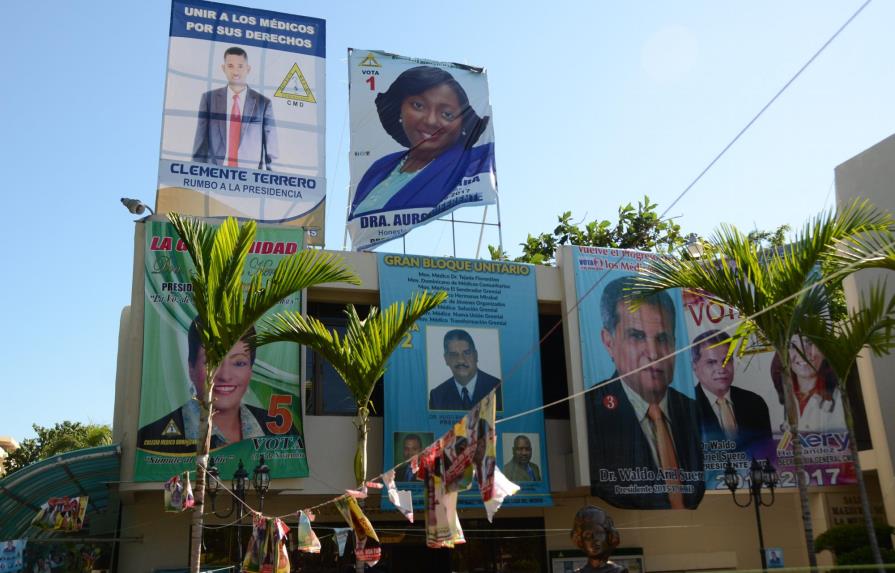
360	355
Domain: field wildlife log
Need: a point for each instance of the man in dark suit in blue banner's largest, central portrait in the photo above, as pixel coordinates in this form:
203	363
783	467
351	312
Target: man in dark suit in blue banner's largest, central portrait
468	385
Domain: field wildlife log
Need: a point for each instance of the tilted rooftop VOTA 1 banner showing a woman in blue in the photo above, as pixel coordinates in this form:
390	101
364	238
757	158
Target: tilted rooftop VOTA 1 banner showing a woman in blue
422	143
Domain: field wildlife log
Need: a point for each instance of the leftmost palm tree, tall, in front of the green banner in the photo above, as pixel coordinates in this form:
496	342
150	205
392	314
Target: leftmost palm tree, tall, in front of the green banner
226	308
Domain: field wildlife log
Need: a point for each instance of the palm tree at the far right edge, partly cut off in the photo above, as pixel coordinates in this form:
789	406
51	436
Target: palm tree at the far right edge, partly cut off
871	325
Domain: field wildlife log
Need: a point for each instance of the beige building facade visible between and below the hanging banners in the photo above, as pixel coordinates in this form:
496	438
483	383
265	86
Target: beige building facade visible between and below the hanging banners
717	535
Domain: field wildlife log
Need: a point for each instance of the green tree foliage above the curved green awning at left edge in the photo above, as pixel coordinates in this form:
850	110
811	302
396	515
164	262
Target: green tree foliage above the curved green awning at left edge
62	437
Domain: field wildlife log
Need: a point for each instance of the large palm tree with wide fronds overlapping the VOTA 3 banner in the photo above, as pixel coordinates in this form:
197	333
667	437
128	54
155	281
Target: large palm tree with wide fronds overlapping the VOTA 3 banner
769	289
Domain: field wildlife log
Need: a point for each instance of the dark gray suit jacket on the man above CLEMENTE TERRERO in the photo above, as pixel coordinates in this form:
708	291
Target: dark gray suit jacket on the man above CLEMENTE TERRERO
257	138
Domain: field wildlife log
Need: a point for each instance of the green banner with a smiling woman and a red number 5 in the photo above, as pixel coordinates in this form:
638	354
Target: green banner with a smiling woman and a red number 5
257	392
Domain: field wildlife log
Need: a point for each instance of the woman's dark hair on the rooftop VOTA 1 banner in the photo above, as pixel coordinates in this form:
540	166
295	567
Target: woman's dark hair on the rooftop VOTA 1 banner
414	82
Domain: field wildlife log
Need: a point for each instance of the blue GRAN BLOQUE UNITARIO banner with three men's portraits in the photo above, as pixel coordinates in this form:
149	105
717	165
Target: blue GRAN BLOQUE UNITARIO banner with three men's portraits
483	337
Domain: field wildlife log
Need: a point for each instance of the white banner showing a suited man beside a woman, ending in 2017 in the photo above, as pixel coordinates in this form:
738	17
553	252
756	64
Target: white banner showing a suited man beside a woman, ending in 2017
741	404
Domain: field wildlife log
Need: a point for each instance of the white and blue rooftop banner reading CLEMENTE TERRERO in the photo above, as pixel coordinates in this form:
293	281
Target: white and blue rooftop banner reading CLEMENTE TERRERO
244	118
